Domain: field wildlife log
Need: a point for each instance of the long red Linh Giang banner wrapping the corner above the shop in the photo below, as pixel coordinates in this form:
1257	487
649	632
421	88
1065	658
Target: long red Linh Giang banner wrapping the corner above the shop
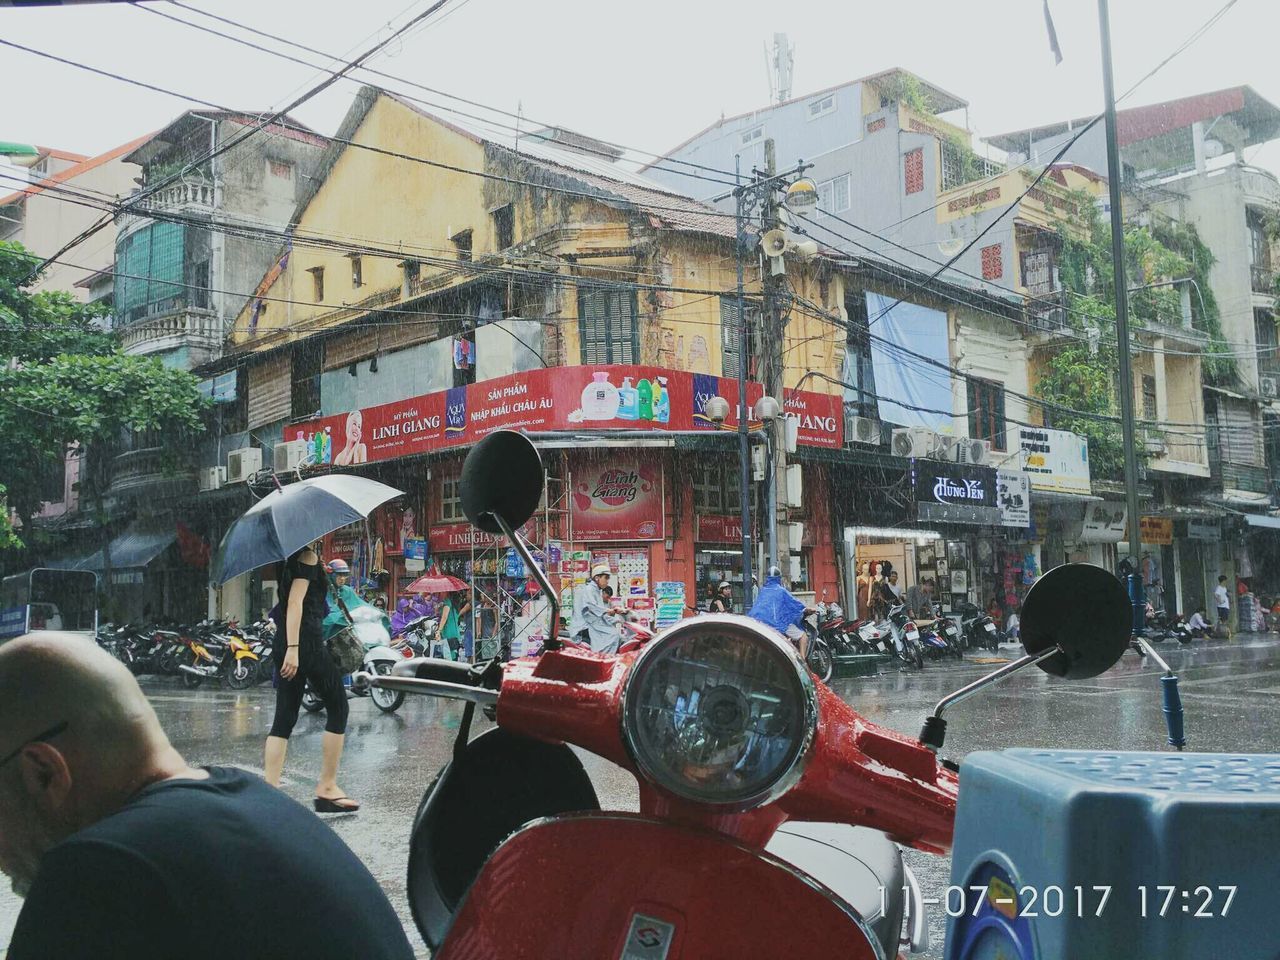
579	399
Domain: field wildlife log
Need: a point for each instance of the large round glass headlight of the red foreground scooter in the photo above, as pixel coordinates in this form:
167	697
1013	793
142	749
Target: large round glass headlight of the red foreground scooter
721	711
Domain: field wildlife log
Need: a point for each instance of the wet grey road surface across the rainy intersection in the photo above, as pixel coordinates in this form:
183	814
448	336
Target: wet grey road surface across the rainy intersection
1231	691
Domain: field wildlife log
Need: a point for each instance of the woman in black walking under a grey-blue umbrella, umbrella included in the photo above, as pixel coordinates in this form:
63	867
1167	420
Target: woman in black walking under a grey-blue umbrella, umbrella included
287	525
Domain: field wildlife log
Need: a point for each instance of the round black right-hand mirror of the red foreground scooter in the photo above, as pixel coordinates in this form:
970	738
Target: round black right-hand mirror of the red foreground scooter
1084	610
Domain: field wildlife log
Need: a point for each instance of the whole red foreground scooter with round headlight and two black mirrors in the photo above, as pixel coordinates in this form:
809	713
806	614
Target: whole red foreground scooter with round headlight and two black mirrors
770	810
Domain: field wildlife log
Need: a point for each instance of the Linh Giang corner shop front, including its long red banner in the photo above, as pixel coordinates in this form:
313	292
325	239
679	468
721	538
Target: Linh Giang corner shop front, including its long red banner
652	490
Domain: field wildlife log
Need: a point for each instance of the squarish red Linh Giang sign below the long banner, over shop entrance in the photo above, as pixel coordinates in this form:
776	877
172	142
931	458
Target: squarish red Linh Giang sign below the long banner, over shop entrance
618	499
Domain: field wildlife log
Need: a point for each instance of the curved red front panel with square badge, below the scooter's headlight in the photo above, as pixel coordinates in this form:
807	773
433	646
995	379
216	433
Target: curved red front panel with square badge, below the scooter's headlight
621	886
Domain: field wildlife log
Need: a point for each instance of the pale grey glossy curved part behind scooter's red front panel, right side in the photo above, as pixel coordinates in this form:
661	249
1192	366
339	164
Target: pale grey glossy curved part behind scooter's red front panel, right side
858	865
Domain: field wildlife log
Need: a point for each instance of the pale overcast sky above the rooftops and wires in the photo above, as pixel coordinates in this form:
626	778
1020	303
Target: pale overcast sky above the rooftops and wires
639	75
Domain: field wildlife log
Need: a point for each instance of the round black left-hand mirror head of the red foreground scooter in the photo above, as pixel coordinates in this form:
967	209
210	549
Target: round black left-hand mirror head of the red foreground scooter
502	476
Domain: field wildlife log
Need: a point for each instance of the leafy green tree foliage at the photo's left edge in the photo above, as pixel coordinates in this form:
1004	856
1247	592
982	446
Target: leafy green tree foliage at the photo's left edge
66	385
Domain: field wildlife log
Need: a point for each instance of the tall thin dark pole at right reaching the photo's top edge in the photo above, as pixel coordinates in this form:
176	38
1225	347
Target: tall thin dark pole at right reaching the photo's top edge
1118	254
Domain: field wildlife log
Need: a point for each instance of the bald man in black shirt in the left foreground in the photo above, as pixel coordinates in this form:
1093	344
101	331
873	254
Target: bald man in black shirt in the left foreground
122	851
